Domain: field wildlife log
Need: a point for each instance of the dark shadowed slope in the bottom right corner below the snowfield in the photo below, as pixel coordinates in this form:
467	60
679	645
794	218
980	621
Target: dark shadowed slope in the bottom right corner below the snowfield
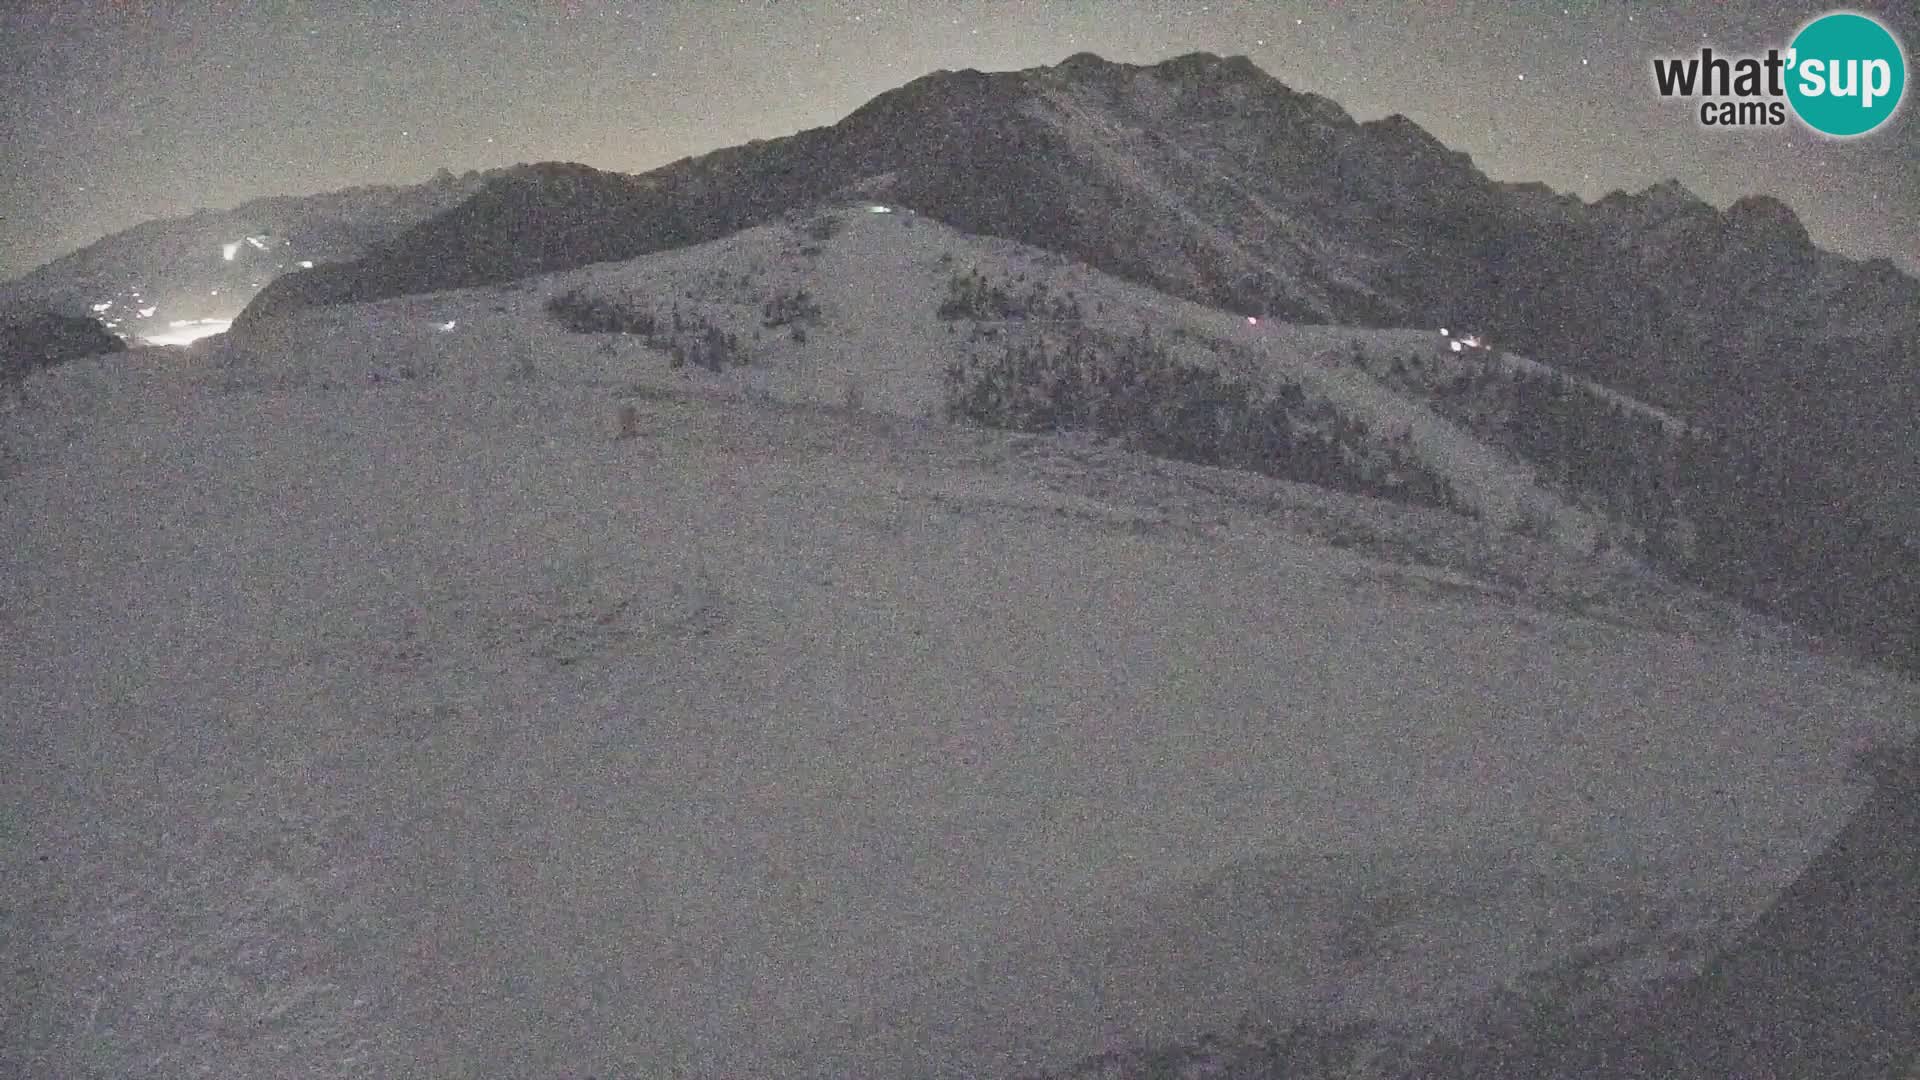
1827	983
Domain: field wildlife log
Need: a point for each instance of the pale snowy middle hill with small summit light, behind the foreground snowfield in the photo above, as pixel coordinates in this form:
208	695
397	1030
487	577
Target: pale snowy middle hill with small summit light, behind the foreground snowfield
880	280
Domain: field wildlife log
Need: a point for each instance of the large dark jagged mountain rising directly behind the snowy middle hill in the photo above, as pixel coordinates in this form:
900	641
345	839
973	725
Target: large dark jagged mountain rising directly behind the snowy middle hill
1205	178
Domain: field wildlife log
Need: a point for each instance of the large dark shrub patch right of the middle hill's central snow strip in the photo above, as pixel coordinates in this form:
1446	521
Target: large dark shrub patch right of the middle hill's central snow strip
1140	393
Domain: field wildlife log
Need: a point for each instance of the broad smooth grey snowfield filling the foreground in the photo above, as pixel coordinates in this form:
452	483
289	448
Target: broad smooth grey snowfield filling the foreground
423	727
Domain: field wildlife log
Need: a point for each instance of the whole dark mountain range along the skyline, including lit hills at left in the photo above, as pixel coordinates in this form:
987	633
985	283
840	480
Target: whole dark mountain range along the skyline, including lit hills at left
1211	182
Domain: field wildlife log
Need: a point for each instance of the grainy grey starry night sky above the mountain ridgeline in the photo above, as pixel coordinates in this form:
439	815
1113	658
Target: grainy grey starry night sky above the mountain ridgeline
120	112
